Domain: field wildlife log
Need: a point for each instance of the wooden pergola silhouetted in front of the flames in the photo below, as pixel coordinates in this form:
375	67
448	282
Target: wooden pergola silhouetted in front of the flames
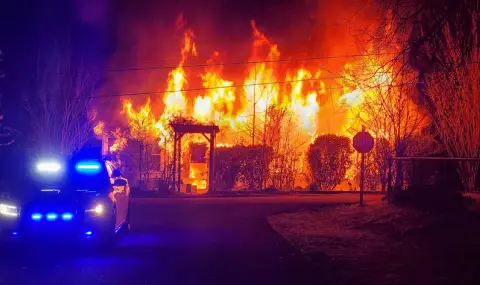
182	129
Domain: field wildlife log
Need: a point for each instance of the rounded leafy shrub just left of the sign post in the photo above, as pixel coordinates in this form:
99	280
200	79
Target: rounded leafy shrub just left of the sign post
329	158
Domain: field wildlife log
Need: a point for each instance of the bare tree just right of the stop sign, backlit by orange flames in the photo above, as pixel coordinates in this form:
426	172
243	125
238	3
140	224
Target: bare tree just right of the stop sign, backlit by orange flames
389	111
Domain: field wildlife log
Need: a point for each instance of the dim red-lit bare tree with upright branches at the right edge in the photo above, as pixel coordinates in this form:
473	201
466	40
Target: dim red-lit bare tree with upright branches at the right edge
453	94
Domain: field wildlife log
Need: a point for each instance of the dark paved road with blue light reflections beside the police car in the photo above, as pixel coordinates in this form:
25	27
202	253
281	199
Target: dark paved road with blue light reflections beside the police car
185	241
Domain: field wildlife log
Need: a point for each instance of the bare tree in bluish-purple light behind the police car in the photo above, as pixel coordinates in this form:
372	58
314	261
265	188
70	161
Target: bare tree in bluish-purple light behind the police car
59	103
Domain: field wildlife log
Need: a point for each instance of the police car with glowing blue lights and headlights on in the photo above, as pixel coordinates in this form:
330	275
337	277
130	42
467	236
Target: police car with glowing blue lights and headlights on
54	201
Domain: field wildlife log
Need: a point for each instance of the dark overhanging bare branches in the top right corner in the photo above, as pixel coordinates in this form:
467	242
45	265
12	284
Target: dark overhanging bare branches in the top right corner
417	24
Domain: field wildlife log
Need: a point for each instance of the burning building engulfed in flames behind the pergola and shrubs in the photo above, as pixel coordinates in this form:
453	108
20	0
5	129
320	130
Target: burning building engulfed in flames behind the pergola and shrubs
279	103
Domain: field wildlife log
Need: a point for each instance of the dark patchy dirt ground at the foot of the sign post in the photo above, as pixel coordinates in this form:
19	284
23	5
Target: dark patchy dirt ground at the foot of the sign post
384	244
